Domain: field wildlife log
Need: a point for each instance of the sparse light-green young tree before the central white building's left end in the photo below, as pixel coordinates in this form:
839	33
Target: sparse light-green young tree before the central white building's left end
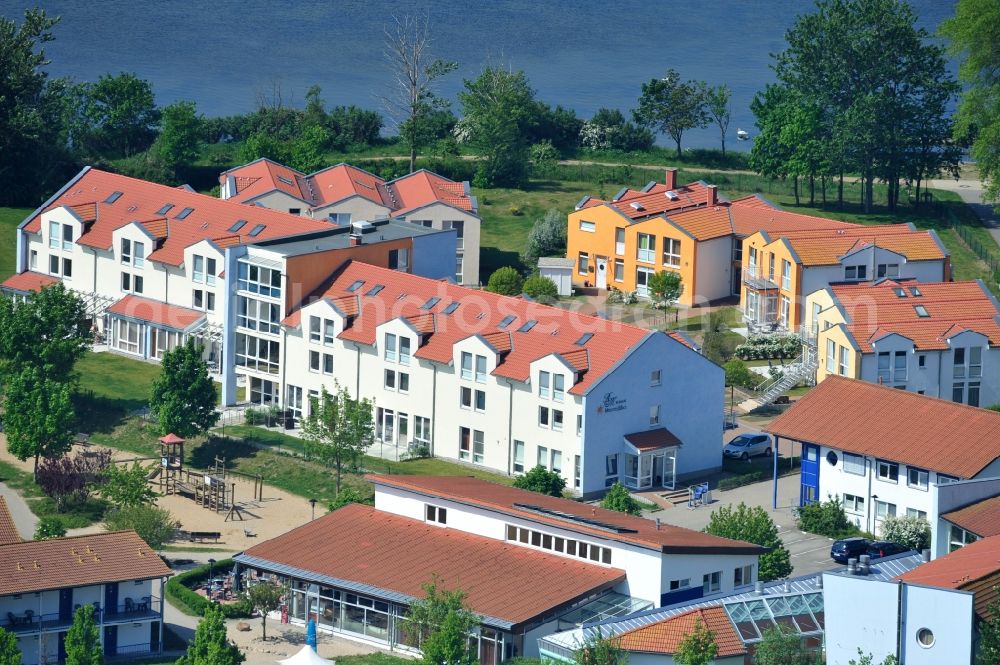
338	429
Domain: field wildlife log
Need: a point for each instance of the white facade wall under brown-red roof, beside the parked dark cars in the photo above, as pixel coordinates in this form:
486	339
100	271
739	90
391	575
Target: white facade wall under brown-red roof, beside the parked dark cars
835	481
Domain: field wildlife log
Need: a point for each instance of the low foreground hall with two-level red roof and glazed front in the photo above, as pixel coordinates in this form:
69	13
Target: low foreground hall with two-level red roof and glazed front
527	563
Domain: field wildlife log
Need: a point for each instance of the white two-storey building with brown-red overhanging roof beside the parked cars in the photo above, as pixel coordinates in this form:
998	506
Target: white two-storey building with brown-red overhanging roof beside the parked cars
882	451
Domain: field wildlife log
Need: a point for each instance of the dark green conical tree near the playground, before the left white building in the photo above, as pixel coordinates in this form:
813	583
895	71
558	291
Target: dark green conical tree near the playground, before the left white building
183	398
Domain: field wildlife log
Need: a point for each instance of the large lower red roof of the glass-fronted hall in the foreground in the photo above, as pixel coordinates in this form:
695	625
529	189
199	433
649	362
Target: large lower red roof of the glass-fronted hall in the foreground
360	544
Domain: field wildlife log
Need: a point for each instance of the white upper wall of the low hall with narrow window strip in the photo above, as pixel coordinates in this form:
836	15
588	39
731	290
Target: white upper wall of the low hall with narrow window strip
648	572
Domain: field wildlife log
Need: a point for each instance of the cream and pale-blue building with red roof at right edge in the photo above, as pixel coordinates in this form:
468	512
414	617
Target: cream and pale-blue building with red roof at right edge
935	338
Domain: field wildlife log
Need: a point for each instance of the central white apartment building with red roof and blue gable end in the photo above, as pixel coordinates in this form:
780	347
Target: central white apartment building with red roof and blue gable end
507	383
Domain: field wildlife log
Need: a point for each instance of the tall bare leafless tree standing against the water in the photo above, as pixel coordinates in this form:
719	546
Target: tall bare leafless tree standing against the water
411	101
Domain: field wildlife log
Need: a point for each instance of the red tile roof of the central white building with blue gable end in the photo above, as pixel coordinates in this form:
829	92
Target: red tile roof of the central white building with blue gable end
479	312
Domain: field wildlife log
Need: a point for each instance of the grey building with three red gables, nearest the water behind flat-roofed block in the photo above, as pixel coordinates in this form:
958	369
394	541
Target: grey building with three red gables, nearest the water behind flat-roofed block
343	194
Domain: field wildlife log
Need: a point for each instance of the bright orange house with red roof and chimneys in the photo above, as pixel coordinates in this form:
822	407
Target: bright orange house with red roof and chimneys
688	229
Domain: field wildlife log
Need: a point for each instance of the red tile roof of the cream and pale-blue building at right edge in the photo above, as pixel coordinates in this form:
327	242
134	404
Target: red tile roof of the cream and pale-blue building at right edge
875	310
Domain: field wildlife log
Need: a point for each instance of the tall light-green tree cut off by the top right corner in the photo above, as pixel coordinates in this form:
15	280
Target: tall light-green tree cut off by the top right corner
974	33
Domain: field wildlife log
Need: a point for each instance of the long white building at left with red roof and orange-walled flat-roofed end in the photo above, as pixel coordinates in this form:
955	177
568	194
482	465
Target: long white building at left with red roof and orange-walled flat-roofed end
150	261
